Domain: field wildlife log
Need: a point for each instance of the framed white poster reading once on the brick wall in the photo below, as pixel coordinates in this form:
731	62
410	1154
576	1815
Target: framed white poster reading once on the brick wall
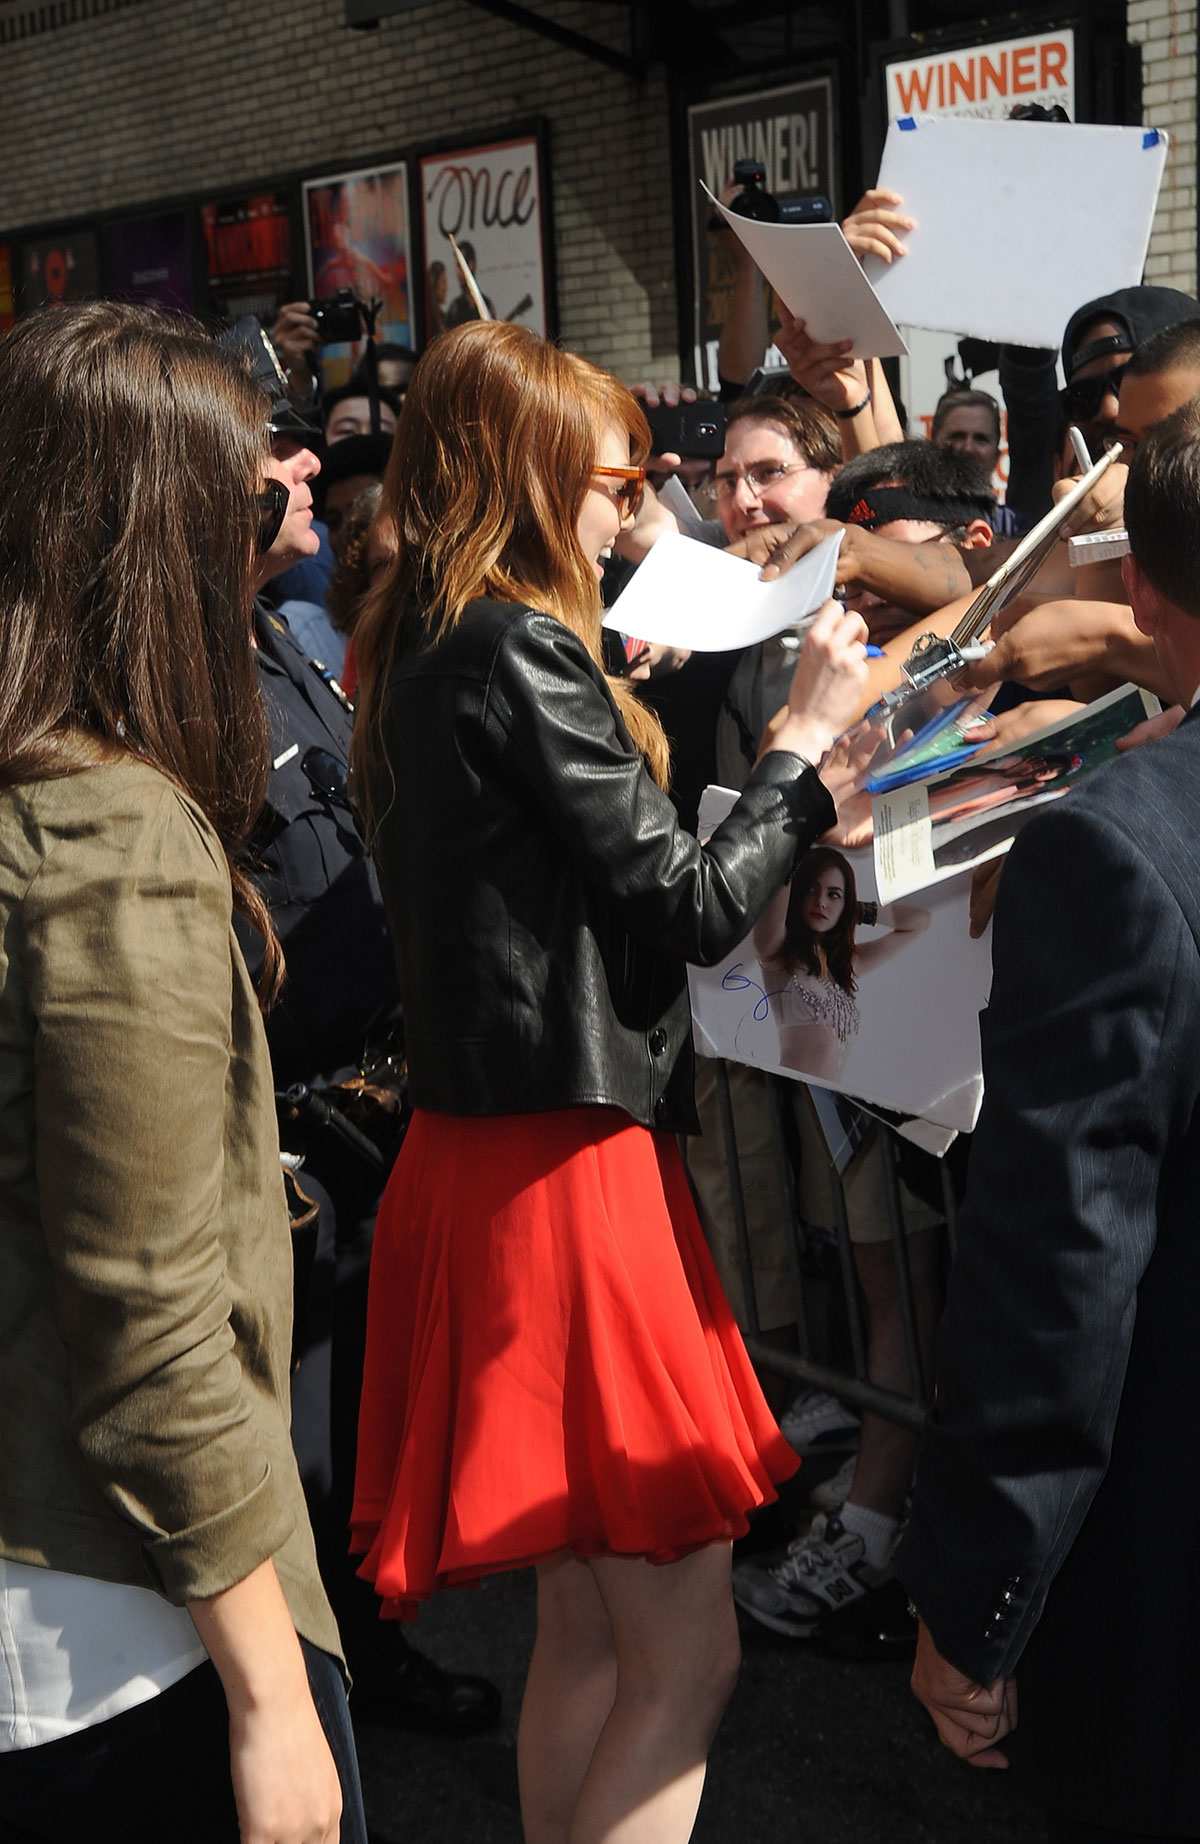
493	202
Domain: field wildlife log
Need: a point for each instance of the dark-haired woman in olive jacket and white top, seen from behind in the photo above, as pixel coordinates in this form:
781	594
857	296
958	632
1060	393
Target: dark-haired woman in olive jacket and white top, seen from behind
165	1640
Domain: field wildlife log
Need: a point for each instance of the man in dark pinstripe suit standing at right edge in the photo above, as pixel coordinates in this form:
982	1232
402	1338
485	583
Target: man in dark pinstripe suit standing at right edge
1055	1541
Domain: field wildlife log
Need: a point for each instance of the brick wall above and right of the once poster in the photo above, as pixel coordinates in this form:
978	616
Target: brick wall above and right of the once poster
115	104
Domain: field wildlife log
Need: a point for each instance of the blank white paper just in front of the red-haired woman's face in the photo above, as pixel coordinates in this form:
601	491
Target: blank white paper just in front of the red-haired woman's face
688	595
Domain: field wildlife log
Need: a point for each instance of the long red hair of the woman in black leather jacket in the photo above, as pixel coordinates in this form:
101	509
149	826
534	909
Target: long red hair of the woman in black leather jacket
486	484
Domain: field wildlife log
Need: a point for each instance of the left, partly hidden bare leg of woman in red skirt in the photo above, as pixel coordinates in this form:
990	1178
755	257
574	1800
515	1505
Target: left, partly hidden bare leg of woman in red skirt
569	1694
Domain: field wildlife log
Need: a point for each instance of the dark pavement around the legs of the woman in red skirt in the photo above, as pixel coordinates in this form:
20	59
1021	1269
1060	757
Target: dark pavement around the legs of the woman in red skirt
812	1749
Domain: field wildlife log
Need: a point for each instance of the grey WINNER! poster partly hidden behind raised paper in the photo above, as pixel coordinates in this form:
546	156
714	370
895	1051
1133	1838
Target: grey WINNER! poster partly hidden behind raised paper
794	134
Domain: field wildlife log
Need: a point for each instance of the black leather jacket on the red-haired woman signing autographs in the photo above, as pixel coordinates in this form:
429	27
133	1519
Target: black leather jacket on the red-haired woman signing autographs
541	892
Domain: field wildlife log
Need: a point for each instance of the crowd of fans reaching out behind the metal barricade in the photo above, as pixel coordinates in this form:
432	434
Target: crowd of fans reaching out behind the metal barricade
814	449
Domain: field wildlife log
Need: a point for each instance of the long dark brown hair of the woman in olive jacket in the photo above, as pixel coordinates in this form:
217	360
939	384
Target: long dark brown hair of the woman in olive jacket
132	456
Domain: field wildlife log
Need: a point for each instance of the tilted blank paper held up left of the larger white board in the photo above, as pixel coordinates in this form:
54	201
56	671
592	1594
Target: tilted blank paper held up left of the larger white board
821	281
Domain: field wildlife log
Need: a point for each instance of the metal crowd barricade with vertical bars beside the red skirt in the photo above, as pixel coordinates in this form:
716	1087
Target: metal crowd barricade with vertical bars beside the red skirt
851	1386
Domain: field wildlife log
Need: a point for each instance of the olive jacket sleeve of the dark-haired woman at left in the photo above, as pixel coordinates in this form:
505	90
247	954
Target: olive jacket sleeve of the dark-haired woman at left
132	995
